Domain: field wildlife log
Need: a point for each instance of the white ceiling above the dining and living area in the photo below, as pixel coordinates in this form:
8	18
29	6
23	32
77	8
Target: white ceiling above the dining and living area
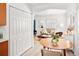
39	7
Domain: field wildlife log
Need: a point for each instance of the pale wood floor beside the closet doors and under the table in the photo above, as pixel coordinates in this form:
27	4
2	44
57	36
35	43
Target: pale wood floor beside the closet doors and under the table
36	50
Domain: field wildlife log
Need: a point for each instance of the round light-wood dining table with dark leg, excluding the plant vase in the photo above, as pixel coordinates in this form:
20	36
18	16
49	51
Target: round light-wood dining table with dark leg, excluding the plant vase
62	44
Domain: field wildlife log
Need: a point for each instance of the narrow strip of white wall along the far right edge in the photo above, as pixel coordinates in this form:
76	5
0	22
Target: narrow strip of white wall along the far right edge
76	50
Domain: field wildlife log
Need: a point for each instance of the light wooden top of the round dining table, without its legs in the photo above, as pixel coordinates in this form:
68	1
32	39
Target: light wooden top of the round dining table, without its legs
62	44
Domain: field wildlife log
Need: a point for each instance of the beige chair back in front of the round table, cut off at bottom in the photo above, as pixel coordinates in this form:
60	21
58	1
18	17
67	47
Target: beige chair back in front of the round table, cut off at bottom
51	52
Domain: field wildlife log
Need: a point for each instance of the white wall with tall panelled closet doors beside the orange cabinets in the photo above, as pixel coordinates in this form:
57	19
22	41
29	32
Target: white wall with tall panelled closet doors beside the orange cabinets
21	32
